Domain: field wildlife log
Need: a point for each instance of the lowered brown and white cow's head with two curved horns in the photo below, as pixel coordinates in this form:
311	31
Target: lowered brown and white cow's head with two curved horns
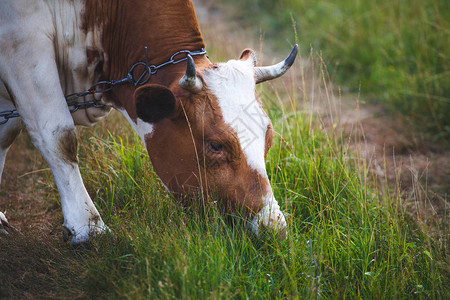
209	132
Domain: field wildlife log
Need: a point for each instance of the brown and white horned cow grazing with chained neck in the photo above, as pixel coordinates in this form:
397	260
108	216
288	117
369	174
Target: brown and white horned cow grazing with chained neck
202	123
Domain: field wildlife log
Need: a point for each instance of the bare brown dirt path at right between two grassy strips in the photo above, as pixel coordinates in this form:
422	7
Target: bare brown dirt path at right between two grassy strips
415	169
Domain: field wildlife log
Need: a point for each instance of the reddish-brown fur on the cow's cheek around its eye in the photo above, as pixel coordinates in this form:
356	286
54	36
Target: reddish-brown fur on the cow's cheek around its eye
184	163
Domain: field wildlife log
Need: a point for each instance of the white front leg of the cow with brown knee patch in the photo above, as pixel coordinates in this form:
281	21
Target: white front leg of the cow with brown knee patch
40	101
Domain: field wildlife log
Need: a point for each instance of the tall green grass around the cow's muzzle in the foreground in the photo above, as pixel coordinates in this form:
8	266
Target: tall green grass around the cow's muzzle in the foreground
347	237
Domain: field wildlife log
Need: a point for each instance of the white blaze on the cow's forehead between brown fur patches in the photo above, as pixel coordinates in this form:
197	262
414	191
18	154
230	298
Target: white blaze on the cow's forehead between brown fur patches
233	84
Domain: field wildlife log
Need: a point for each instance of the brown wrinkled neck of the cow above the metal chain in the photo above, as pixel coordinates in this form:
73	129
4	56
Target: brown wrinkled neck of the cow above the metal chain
128	26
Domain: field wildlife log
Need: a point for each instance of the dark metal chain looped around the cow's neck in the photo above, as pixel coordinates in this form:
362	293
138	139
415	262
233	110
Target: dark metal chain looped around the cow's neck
108	85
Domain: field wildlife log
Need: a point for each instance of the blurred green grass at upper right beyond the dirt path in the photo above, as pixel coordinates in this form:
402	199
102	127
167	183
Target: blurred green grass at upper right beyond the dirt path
392	52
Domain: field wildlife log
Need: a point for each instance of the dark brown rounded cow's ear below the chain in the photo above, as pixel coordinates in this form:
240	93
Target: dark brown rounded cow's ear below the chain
154	102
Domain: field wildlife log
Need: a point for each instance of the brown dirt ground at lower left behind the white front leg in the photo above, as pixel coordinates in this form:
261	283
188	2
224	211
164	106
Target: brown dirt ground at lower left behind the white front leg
33	259
